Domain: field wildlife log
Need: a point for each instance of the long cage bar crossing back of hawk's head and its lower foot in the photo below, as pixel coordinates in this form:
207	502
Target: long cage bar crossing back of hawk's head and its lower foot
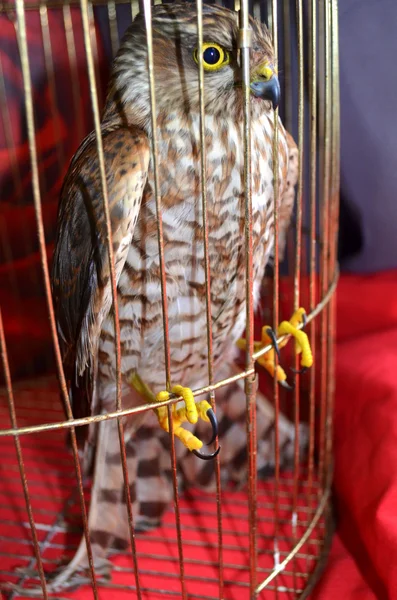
163	281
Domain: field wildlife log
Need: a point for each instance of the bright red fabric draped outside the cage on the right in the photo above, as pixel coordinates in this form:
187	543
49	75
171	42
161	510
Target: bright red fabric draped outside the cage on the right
364	557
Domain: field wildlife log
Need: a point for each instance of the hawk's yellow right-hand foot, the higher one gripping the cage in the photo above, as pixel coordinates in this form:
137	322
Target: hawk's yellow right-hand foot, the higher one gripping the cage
302	345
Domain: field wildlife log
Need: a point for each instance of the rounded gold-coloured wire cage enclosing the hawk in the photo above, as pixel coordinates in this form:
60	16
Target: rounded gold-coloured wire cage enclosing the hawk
269	539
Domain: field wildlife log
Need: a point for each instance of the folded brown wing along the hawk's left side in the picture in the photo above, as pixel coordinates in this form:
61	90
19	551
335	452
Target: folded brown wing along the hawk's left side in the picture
80	273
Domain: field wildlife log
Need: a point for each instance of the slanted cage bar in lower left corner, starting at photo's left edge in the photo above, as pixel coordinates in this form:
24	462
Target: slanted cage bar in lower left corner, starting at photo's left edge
14	424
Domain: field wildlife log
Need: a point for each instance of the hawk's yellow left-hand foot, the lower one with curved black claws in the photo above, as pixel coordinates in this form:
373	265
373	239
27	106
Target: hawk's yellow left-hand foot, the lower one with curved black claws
191	412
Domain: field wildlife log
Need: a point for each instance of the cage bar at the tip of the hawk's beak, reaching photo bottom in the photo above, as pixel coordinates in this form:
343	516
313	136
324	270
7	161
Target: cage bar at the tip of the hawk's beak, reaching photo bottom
276	282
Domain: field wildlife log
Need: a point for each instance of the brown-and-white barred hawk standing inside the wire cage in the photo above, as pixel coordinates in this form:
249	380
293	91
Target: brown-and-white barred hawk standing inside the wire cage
81	280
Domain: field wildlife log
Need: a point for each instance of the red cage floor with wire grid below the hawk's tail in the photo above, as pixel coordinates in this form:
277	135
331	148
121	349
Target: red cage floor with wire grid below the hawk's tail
51	480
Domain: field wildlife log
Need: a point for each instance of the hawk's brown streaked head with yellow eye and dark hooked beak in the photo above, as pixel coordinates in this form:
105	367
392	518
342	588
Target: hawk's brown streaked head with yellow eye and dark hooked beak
176	65
